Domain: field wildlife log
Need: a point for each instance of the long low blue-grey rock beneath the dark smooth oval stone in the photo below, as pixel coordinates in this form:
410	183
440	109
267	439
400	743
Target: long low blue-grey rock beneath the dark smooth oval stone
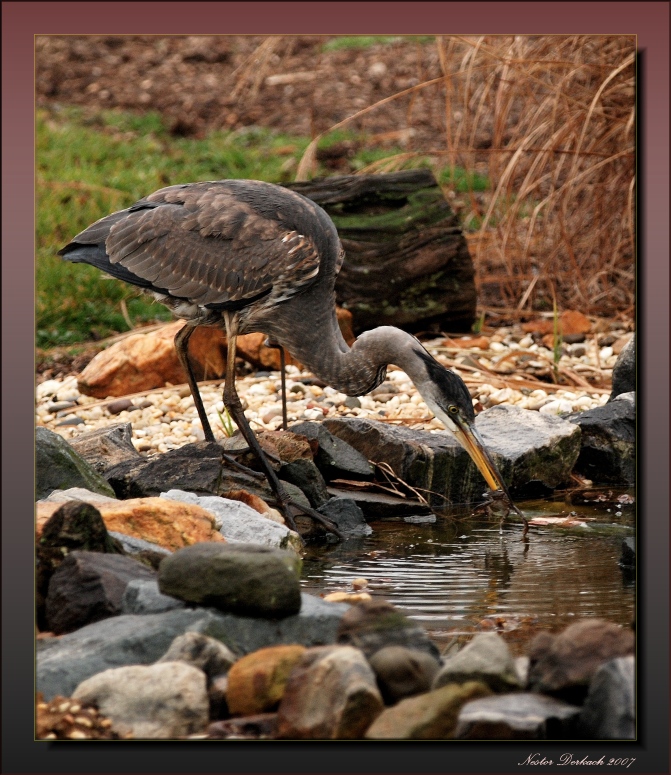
132	639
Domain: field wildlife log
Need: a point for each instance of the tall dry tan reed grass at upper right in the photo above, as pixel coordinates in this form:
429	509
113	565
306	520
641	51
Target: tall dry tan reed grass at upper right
550	121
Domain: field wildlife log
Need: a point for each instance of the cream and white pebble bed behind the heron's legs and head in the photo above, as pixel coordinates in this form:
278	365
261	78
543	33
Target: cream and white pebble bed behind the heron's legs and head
167	419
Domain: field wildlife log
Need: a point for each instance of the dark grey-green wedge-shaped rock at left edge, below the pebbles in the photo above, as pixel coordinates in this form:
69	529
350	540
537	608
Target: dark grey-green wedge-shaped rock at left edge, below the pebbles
59	467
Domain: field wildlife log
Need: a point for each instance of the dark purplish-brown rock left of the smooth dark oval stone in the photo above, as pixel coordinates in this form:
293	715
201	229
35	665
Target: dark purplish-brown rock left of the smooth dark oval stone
88	587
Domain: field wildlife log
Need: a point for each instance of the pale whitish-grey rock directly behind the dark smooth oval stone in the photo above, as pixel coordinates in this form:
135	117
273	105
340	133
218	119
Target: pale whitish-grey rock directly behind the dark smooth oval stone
240	523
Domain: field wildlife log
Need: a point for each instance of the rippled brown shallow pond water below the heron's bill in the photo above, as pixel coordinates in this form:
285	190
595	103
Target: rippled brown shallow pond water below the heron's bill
457	576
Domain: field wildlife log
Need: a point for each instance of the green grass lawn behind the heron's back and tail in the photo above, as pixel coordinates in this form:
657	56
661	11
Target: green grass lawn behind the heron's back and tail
91	164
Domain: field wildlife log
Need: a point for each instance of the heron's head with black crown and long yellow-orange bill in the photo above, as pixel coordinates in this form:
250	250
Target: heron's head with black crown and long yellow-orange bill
446	395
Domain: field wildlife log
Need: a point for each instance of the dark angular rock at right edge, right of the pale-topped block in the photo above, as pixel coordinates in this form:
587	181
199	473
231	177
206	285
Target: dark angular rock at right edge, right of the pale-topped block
608	443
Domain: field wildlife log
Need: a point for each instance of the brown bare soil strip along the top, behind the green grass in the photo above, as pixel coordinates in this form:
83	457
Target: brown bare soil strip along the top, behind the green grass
202	83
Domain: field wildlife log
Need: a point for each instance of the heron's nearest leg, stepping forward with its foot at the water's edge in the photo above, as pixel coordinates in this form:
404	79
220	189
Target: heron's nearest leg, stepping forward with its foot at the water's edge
234	405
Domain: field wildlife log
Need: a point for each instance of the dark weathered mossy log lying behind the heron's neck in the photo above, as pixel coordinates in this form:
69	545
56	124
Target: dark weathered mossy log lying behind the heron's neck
406	260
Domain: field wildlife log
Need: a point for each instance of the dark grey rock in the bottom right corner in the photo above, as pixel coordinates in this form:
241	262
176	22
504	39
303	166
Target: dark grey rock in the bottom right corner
609	709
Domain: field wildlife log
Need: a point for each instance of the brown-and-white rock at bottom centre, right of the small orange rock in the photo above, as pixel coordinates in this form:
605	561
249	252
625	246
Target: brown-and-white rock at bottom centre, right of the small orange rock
331	694
